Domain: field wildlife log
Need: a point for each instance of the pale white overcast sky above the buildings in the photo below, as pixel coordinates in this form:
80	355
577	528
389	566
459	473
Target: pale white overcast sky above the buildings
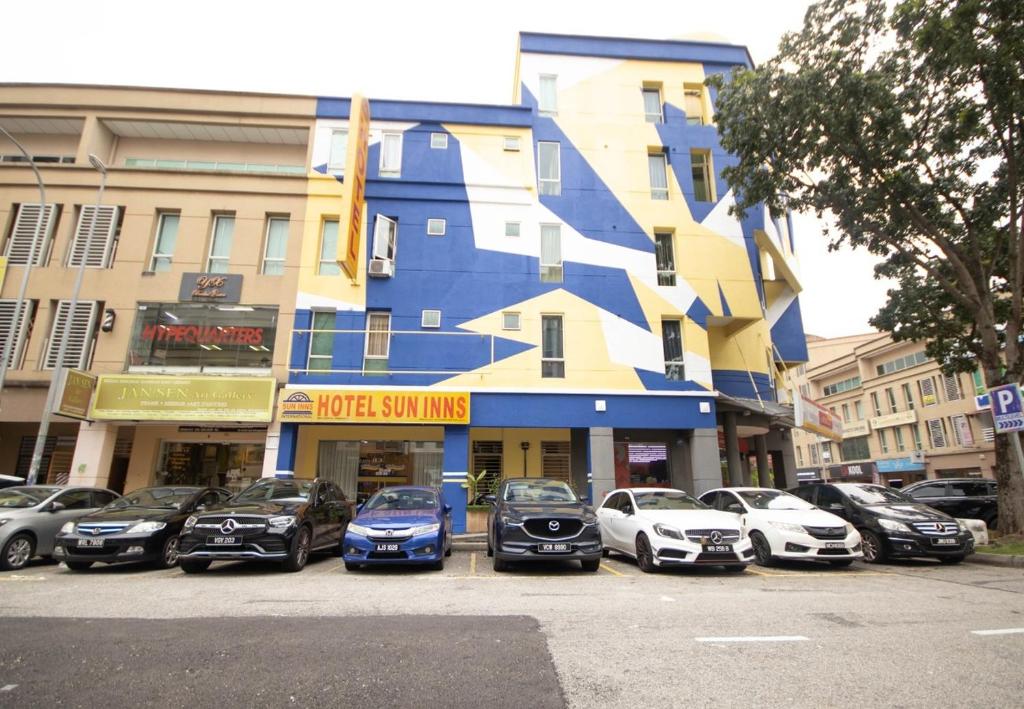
446	51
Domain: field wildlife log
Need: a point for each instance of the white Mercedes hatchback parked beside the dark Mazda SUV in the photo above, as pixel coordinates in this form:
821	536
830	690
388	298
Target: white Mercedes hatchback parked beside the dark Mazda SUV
662	527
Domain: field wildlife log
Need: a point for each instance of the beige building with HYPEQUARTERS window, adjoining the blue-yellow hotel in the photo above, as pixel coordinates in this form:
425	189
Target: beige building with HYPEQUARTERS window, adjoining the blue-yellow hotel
190	277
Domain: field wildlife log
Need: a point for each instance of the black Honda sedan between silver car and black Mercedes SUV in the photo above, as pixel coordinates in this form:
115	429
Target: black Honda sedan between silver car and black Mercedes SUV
143	526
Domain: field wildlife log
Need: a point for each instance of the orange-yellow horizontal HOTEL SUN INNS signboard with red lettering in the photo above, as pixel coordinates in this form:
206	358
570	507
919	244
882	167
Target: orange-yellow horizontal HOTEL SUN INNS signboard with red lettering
369	406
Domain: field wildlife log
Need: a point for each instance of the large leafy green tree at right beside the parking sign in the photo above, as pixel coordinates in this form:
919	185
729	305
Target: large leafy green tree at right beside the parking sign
905	122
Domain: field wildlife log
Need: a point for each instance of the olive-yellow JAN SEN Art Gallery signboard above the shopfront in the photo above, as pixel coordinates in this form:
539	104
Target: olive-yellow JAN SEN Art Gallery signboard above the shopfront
129	398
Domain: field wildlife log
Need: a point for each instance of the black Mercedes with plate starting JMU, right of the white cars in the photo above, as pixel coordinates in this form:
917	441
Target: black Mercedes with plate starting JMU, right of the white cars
891	524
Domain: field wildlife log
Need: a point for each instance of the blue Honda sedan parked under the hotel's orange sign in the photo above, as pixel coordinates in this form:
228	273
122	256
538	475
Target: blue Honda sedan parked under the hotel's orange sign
402	525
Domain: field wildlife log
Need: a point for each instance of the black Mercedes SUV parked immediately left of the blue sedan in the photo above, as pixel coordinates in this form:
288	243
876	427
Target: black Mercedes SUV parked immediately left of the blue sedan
275	520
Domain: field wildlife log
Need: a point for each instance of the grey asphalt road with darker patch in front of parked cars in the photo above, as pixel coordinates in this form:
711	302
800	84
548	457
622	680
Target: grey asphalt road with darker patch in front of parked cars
910	635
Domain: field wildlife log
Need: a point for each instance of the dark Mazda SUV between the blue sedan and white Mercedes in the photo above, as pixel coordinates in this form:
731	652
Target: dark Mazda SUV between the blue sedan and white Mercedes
541	519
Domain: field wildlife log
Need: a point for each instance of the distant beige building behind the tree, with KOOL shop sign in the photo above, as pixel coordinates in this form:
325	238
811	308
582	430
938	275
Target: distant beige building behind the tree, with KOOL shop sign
904	421
